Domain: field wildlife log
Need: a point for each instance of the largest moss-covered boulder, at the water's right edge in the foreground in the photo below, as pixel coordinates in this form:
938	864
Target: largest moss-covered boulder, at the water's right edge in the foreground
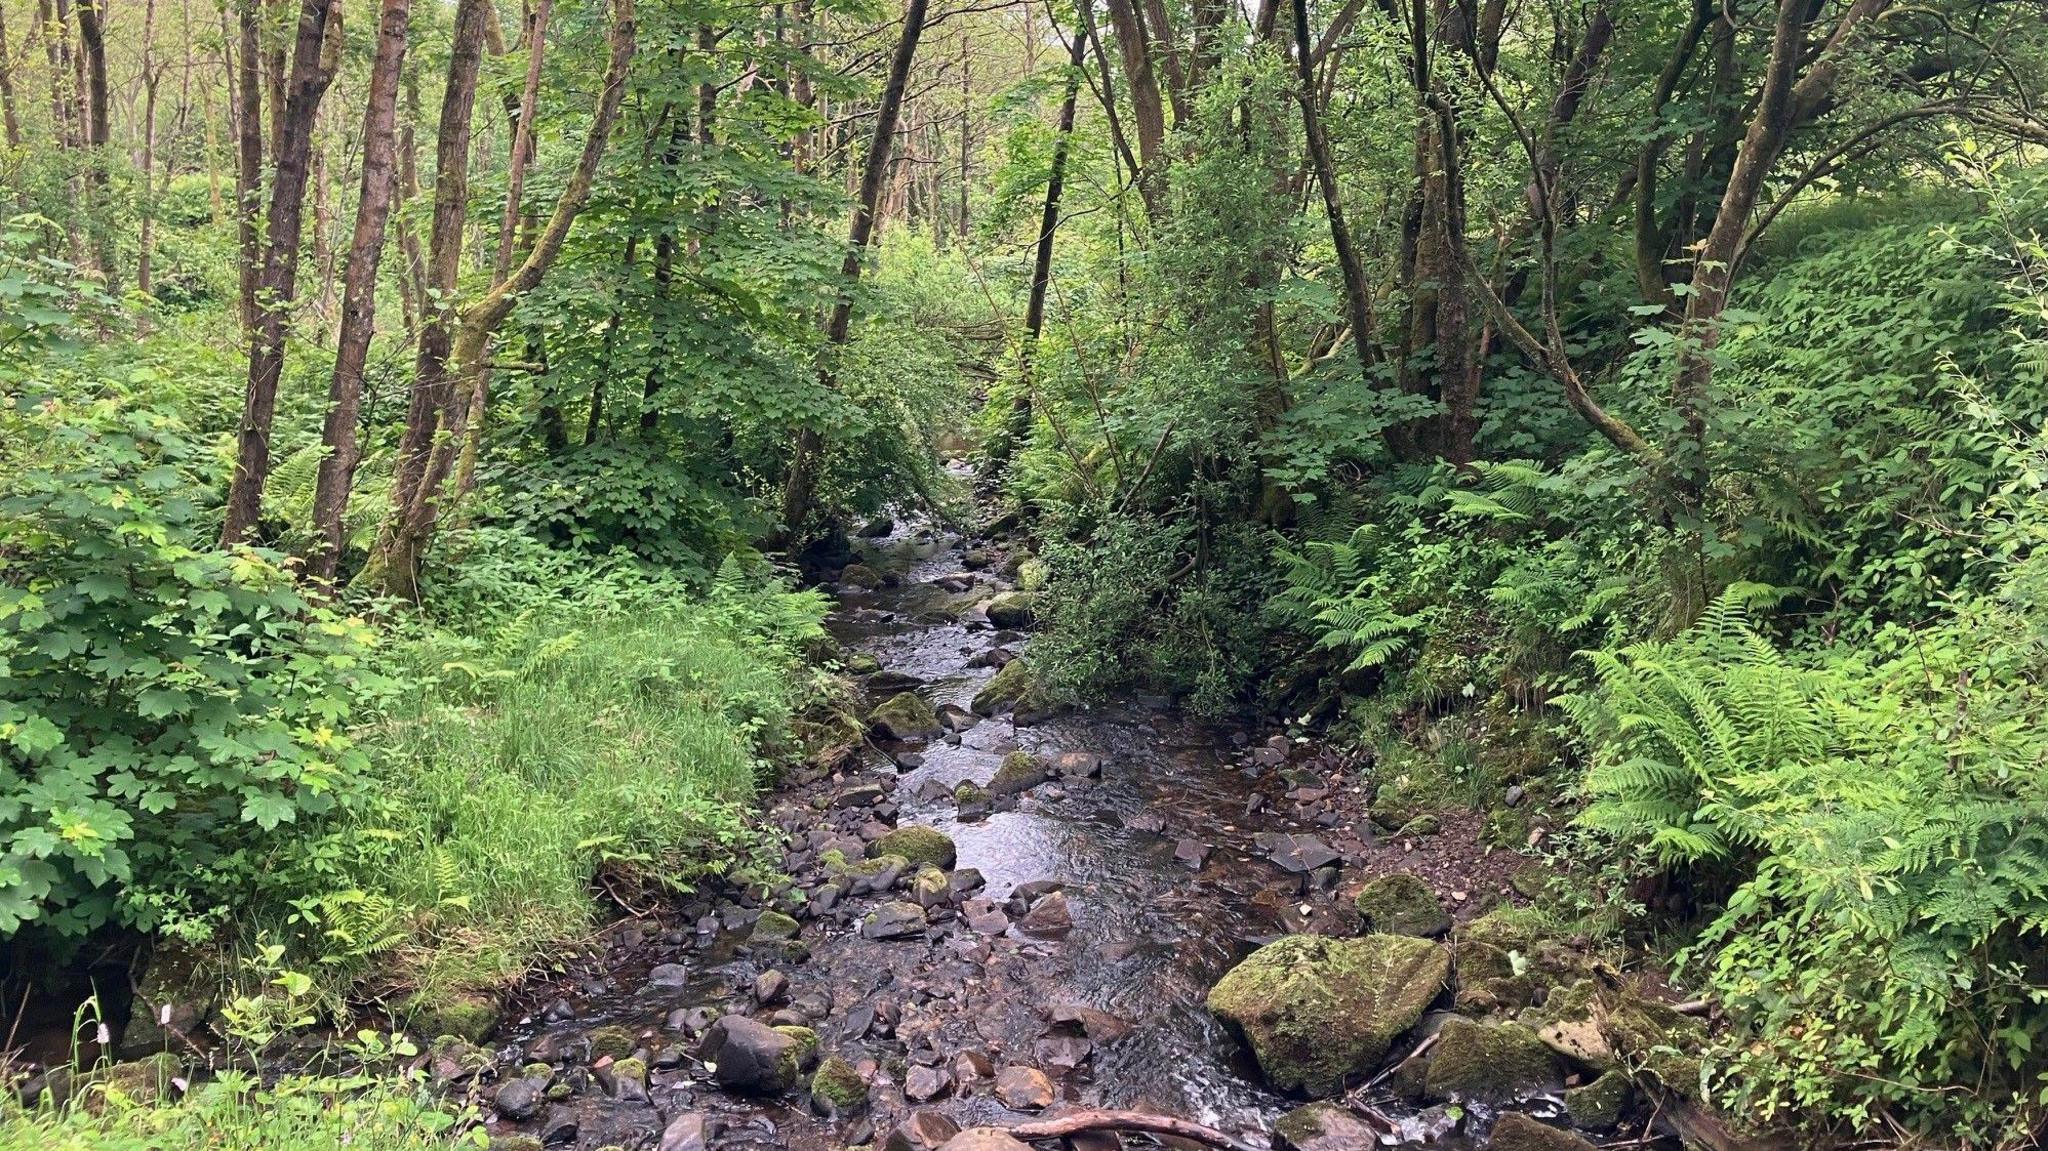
1316	1011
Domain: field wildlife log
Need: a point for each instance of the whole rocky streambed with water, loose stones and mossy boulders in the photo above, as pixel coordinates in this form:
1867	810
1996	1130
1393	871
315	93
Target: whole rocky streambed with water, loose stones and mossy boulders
1005	912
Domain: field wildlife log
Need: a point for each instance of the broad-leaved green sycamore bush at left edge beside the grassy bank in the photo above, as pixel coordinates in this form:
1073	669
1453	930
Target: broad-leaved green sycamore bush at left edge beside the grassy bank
171	712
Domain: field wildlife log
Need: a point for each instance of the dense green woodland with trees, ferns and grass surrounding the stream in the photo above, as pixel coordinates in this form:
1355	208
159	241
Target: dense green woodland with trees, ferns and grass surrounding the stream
1635	402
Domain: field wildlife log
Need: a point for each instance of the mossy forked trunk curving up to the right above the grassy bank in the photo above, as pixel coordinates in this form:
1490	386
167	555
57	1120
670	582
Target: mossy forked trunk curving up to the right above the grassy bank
441	441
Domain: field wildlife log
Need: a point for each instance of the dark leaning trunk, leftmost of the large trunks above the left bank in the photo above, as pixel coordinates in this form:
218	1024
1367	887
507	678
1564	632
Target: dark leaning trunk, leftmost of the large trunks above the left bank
314	60
